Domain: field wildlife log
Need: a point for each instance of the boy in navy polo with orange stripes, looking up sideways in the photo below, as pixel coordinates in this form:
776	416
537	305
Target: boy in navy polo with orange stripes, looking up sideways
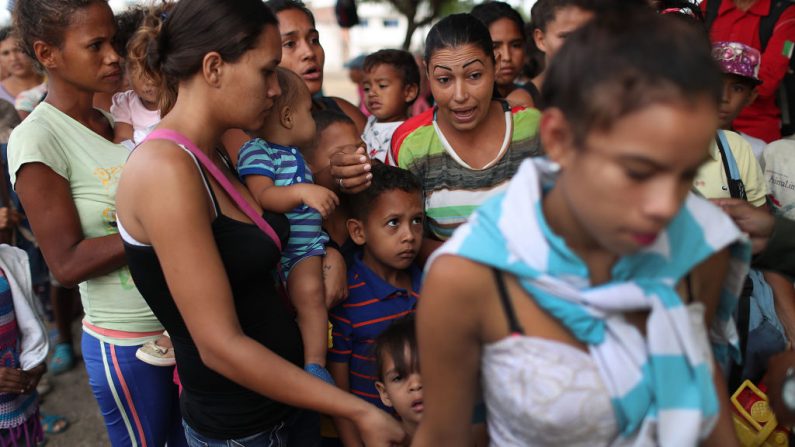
383	280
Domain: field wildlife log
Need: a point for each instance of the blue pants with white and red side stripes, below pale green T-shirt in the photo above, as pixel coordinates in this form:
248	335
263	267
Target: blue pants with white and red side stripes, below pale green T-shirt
138	401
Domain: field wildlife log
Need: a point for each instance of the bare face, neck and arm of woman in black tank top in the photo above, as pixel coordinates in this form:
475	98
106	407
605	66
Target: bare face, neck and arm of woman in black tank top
210	102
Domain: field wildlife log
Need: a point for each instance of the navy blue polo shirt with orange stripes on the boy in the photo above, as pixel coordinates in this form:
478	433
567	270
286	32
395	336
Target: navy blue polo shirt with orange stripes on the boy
372	305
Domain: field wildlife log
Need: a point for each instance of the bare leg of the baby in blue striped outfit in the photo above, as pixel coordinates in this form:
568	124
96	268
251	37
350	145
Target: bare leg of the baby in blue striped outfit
305	286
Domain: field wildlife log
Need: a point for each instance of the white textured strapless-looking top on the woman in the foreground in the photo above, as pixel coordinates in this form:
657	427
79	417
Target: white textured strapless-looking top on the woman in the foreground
541	392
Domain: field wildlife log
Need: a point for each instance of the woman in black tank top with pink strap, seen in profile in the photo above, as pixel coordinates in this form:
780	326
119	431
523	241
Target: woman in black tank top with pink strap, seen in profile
202	266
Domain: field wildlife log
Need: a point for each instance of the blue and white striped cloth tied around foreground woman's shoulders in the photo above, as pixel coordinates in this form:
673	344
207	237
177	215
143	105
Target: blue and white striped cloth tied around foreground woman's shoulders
661	386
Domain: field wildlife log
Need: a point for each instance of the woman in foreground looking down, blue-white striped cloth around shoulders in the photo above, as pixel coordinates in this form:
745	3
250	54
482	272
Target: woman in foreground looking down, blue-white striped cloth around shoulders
568	288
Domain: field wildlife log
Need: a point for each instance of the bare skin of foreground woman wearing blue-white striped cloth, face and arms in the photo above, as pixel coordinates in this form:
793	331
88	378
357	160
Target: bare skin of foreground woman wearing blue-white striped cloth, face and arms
649	169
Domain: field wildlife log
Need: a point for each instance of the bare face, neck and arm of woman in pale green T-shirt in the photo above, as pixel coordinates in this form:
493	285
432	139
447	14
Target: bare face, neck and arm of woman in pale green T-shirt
84	64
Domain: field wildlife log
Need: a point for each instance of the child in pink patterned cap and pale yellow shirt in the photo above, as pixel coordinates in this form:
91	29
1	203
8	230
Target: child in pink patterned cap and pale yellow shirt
738	62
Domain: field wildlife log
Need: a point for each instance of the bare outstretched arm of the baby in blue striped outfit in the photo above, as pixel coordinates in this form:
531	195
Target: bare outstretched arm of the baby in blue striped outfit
281	199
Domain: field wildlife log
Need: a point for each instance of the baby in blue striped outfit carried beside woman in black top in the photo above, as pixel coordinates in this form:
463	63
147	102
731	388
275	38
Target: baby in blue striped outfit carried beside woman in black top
278	176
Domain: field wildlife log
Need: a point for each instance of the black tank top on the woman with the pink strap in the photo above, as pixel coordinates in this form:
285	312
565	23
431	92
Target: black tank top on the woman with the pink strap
211	404
